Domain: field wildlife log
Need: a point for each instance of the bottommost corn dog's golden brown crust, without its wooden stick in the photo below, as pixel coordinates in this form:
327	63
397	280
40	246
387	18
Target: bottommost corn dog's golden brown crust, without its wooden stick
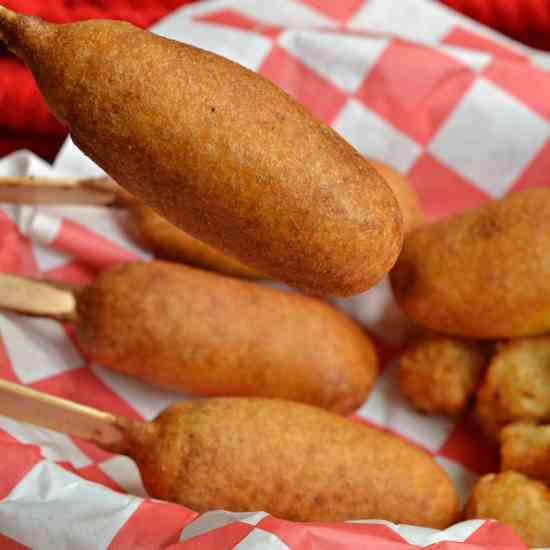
291	460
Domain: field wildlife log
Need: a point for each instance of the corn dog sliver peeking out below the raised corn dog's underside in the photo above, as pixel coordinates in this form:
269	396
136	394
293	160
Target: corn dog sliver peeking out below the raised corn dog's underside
171	243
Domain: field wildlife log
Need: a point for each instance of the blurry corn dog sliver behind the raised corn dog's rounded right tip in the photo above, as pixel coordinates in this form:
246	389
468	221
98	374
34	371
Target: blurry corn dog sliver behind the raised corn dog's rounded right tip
407	198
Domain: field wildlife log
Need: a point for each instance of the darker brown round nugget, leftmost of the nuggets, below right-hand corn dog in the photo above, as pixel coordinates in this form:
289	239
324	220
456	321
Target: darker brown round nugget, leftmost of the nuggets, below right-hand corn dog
439	375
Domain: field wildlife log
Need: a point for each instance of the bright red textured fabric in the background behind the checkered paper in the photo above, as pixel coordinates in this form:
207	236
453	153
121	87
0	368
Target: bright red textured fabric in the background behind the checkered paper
24	118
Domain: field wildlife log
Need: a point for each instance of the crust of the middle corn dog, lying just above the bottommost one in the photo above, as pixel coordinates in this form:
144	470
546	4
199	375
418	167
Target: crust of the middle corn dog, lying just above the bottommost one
202	333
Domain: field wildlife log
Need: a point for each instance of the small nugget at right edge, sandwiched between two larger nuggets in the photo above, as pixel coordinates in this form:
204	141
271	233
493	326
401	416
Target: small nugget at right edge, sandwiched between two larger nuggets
526	448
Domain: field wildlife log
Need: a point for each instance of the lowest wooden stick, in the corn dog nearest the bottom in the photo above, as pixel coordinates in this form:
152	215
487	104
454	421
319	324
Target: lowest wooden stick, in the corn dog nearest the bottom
41	409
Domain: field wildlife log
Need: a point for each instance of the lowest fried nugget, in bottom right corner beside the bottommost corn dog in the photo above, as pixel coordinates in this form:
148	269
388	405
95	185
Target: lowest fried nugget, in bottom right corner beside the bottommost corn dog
516	500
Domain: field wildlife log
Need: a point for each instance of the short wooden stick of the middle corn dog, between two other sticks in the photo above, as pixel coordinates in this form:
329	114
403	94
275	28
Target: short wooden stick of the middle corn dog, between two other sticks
37	298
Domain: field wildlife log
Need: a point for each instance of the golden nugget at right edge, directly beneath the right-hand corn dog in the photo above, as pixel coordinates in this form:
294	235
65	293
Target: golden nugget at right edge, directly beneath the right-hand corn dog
516	386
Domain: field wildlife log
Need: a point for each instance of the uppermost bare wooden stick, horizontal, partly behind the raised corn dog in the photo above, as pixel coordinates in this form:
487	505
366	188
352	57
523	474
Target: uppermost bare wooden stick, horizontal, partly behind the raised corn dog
31	190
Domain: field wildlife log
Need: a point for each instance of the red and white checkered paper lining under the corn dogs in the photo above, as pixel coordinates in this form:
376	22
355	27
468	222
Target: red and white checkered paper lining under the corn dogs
461	110
